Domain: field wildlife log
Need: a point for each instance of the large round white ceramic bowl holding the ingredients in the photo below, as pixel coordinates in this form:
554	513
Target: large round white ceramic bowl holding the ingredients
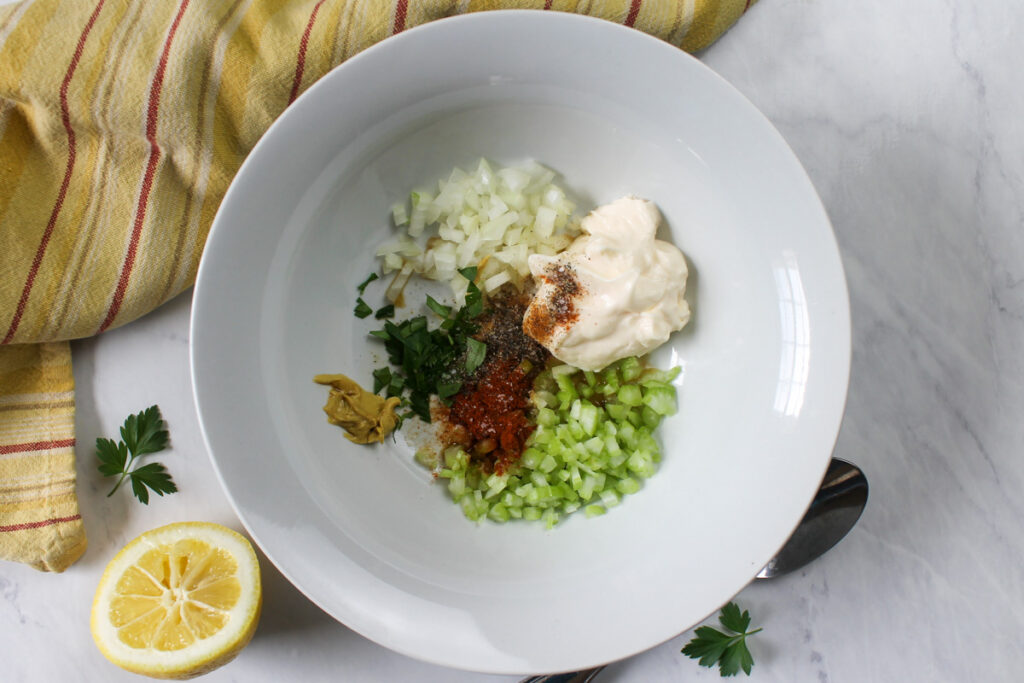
363	532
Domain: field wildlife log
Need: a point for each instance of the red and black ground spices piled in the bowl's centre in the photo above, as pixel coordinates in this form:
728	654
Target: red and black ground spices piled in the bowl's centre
490	415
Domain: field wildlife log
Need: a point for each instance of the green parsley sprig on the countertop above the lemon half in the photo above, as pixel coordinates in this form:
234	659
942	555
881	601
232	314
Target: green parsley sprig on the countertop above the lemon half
143	434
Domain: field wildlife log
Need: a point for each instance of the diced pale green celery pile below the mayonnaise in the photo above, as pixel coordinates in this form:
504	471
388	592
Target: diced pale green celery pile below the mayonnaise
593	445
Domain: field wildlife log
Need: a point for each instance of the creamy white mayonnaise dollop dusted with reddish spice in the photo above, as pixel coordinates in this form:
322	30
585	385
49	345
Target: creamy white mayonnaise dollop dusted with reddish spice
616	292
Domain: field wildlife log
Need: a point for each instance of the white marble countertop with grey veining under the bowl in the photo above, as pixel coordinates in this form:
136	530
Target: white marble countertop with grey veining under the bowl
909	118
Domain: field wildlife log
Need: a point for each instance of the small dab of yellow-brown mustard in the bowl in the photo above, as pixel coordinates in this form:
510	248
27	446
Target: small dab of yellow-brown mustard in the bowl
365	416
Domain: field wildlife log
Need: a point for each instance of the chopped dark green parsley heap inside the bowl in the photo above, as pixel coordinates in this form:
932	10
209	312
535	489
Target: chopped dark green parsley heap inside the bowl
424	361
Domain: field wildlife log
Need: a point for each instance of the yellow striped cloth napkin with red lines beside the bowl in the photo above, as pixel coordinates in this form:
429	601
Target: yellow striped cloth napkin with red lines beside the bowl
122	122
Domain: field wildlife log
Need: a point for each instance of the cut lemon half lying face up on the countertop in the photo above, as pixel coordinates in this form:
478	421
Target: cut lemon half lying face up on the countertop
179	602
